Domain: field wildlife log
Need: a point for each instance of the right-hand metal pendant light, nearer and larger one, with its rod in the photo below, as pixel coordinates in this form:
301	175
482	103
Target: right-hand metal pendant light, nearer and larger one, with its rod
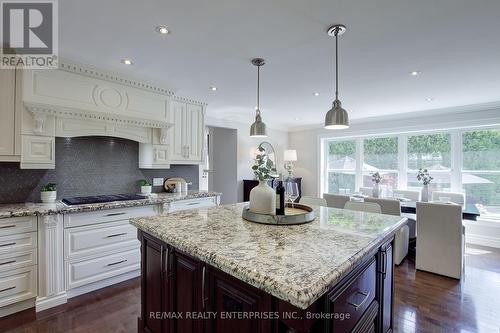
336	117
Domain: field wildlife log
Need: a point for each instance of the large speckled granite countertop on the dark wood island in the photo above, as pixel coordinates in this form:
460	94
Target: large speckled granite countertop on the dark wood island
297	264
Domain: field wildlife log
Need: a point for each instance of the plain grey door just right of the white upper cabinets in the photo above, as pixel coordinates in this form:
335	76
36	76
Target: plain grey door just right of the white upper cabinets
223	163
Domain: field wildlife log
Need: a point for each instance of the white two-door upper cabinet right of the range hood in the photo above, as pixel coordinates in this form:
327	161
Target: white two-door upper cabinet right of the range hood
186	136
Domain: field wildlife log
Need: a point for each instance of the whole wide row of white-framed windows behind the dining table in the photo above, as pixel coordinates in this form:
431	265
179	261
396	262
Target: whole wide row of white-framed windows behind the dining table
465	161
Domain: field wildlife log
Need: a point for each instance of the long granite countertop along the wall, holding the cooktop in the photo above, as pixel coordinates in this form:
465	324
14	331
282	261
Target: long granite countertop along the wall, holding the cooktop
30	209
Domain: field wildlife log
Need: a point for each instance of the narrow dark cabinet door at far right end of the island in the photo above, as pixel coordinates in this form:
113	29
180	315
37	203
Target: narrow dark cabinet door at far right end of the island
386	285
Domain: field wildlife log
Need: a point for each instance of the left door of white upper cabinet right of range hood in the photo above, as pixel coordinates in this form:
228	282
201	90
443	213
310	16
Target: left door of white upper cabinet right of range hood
177	116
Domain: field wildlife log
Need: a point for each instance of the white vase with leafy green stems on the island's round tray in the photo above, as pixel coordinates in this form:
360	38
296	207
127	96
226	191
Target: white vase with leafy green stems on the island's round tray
262	196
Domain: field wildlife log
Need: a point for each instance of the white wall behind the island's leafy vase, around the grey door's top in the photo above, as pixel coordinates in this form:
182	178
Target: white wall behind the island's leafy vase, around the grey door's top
247	146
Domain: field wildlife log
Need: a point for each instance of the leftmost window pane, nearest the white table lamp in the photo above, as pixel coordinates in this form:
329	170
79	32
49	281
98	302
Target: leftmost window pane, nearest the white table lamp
341	166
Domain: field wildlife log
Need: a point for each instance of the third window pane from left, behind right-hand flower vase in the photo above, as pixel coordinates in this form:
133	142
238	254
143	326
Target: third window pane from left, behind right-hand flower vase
432	152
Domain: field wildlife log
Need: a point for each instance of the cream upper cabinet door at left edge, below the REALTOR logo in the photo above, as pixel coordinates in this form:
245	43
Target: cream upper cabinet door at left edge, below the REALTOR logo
7	89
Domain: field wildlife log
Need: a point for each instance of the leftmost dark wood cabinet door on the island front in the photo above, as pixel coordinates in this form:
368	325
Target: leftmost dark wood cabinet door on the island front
155	286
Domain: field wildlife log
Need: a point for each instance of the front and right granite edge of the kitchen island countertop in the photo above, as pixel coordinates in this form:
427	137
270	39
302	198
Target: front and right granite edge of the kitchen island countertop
297	296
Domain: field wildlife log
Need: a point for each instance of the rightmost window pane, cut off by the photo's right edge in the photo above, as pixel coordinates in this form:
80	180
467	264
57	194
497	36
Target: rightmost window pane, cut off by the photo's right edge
481	171
